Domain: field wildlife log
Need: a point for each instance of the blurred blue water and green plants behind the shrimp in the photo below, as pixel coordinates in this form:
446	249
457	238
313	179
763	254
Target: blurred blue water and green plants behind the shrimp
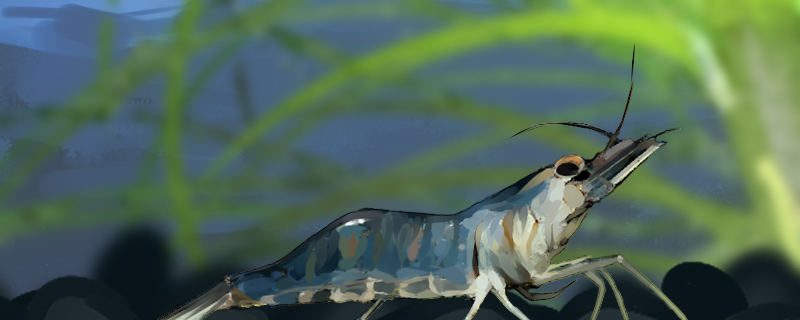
232	130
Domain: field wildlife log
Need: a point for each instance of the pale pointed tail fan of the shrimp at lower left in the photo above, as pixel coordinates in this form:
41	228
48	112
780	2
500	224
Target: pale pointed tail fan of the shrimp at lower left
216	298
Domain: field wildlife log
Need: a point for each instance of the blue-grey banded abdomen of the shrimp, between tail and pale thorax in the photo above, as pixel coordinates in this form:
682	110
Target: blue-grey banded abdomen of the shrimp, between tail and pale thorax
366	255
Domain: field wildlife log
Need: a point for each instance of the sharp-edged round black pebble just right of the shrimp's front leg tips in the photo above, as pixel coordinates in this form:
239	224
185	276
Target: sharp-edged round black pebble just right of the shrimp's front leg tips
702	291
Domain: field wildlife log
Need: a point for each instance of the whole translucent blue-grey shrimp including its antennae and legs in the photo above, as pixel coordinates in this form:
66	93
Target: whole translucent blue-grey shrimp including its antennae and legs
506	241
